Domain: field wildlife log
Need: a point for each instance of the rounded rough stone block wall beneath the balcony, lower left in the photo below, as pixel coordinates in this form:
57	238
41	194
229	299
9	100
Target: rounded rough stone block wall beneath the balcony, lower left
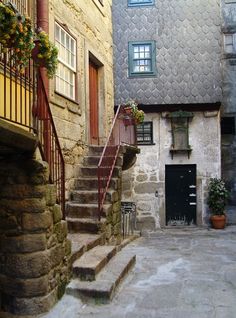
34	250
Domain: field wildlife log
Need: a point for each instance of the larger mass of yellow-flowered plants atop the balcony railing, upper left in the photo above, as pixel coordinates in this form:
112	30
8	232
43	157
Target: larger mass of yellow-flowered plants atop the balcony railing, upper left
16	33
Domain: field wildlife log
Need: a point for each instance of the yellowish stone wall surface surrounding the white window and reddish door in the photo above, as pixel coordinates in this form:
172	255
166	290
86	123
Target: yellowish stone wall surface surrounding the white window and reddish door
89	22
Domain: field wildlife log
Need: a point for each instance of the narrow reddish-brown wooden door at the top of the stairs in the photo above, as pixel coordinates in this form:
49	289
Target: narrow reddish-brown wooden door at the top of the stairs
93	98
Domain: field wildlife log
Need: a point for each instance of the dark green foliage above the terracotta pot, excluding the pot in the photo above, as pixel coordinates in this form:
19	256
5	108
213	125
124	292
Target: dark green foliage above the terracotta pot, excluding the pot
217	196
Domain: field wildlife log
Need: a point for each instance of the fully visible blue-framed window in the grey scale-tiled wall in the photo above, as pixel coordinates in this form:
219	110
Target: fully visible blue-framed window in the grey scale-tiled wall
142	58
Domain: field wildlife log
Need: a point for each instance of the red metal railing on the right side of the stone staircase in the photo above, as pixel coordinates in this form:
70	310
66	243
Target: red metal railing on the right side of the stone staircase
123	131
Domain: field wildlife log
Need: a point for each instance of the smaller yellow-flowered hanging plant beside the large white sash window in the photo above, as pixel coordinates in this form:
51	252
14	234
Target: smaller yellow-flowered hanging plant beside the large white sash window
45	53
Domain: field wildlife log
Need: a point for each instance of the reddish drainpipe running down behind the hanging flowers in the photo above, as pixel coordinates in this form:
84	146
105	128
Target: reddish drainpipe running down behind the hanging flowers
43	23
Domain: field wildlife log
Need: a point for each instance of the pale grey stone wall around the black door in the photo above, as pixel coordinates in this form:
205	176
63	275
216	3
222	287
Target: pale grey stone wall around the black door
148	175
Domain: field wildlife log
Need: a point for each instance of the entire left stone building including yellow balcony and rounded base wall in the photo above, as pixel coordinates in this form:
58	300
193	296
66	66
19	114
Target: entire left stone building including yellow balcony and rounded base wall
35	252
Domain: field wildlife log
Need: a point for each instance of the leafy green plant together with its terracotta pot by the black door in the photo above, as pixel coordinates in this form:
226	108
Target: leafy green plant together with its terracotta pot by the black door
217	199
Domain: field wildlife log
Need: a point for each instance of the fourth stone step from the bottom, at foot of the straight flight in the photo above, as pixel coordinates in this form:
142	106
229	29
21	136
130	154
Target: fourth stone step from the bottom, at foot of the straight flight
85	225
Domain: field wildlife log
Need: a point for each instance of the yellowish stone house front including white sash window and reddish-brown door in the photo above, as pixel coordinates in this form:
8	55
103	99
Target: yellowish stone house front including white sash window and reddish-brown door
81	94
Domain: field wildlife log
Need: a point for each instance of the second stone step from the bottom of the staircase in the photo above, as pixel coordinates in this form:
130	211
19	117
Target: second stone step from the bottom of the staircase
90	264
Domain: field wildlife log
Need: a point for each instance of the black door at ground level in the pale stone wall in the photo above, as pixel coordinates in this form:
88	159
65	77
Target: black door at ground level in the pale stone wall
181	203
